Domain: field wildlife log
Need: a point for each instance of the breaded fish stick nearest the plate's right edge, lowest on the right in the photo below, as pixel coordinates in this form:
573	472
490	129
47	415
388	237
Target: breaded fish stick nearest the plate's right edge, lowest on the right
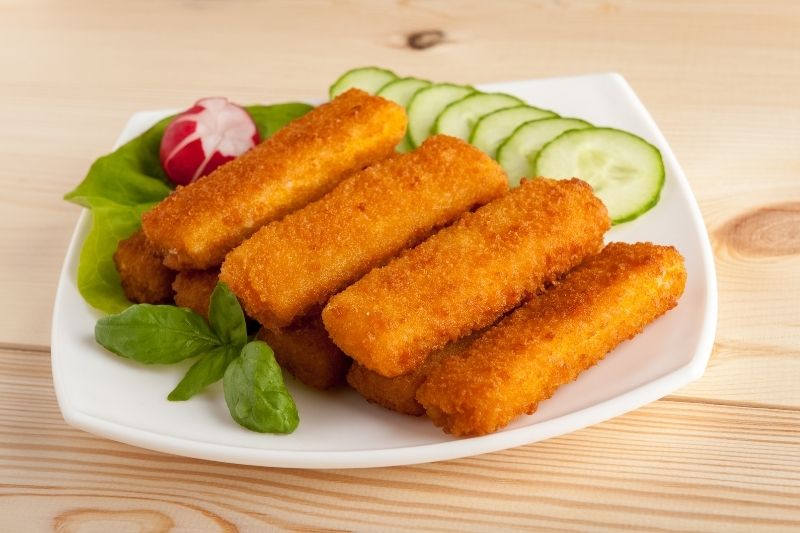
553	338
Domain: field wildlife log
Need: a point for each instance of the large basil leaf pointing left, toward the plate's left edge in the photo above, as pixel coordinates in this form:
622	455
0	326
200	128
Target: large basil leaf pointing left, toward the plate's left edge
155	334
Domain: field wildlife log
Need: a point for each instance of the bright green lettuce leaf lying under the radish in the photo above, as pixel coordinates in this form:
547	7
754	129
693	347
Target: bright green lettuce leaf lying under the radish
122	185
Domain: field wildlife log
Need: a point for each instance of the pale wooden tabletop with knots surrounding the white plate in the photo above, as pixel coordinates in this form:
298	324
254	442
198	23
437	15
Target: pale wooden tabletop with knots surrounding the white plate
722	79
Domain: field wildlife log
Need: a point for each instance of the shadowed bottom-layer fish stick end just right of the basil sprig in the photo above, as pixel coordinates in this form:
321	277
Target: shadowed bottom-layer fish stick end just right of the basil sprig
305	350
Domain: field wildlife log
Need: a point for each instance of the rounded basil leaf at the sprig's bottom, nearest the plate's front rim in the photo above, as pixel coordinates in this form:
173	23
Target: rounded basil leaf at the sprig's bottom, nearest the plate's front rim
255	393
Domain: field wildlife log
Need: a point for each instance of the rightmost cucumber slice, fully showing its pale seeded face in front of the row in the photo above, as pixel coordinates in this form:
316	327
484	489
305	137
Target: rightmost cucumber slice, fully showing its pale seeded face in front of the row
625	171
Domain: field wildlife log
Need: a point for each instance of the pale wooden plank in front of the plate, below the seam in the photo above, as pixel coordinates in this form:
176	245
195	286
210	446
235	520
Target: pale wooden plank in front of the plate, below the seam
720	467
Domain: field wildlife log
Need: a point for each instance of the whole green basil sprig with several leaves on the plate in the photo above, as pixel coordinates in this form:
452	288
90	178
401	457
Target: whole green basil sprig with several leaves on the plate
164	334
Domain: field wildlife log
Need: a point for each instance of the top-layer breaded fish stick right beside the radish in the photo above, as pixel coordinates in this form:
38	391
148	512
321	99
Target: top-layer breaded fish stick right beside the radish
195	227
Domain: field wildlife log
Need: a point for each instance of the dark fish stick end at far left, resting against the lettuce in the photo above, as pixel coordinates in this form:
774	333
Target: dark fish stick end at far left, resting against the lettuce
143	276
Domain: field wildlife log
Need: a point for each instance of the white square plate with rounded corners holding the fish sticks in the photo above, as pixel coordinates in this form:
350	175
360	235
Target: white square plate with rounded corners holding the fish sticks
115	398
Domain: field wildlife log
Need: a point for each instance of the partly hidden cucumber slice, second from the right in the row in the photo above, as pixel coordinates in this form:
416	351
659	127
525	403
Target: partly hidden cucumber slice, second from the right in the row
517	153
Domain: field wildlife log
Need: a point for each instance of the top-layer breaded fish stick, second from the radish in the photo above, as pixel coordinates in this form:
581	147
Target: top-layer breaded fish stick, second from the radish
291	267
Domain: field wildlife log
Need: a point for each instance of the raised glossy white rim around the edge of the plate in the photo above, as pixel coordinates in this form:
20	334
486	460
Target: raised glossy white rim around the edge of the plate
628	401
